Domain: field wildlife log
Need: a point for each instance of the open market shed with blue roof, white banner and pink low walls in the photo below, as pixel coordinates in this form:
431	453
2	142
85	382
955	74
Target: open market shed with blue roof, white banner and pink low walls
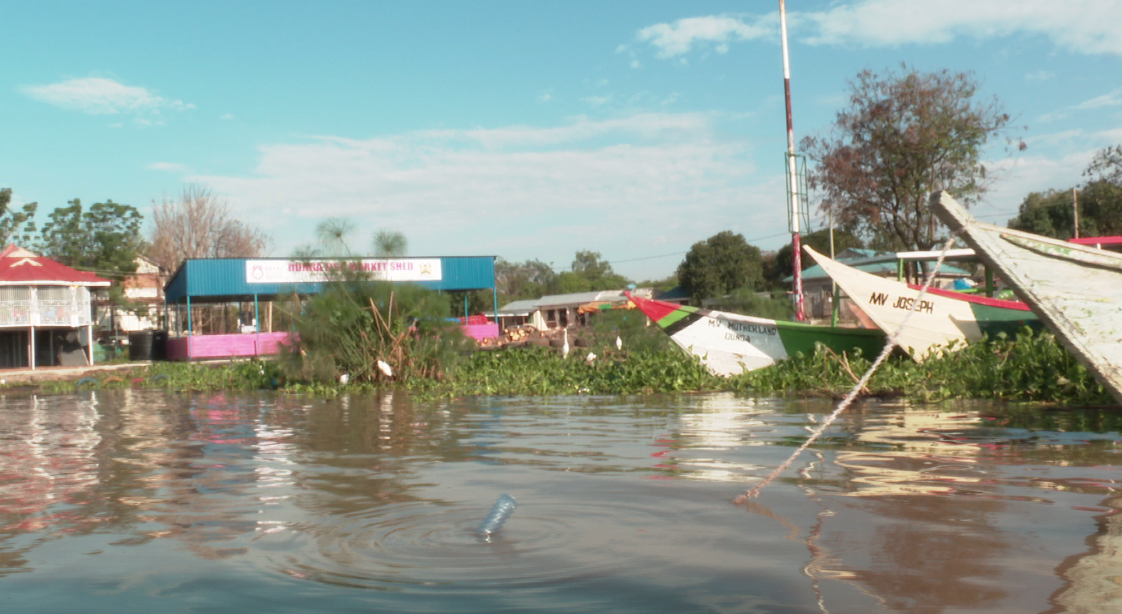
217	304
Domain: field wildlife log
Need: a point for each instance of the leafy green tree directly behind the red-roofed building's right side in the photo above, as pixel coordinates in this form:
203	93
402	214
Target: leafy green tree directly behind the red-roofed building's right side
105	240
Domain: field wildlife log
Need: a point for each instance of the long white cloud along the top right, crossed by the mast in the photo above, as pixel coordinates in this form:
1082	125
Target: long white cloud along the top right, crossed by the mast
1078	26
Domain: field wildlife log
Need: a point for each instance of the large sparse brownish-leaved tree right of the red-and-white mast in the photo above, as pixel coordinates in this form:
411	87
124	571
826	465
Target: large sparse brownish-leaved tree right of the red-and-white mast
904	136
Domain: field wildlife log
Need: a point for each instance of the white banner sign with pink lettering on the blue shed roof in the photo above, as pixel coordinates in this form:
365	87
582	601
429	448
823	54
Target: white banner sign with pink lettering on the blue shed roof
301	272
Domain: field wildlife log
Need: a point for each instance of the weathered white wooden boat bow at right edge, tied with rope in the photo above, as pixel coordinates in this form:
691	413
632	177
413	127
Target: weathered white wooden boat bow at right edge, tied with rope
1075	290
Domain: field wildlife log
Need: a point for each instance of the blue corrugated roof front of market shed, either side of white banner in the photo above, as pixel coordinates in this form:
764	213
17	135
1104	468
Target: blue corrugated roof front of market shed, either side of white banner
217	279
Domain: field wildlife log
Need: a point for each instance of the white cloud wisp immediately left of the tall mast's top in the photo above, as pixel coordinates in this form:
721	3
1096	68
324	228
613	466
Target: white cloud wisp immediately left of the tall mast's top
715	31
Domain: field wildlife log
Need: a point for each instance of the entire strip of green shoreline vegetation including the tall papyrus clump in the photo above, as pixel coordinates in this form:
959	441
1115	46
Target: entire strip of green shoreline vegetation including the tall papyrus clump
363	336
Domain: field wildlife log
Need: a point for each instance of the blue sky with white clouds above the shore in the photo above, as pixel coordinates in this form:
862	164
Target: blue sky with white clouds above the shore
527	131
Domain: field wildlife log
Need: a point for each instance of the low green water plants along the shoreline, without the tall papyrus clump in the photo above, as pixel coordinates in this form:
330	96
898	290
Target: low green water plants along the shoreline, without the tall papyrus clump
1031	368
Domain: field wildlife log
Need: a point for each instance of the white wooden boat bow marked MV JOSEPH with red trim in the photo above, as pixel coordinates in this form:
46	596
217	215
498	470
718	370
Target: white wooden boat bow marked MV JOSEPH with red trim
939	319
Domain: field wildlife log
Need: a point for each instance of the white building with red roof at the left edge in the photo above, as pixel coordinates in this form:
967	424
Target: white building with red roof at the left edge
45	316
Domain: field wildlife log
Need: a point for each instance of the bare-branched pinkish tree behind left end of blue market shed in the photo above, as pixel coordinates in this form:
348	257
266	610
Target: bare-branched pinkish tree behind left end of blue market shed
200	225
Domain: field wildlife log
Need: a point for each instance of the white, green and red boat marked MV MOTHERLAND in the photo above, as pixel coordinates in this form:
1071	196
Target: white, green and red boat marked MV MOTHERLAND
731	344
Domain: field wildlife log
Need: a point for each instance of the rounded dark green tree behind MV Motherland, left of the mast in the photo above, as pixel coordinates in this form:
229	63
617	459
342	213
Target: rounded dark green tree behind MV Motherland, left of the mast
721	264
